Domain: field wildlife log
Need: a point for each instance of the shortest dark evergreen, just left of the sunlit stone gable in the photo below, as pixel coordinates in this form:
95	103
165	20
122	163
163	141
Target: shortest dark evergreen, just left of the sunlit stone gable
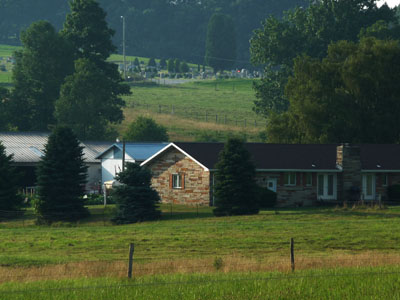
136	200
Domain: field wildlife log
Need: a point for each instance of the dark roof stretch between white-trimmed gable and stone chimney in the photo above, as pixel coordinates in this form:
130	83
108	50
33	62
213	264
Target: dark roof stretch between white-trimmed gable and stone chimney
271	156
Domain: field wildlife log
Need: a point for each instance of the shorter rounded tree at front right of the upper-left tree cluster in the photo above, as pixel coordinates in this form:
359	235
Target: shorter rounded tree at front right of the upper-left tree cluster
89	101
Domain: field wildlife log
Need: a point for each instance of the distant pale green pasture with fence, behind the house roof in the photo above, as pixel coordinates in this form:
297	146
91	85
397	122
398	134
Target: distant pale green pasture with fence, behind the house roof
227	103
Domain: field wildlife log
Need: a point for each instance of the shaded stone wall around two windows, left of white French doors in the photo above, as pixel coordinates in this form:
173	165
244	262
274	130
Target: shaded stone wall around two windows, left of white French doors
298	195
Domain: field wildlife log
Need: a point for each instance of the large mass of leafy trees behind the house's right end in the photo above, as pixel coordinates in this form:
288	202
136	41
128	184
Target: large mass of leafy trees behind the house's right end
331	73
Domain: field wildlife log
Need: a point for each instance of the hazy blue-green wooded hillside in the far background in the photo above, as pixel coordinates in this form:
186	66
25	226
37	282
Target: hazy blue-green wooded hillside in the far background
155	28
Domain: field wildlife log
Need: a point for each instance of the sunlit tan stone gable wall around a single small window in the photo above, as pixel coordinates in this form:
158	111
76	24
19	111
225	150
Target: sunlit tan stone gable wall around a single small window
196	186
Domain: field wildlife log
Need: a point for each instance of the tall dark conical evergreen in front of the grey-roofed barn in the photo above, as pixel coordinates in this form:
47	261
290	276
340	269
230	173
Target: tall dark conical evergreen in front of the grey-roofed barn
61	179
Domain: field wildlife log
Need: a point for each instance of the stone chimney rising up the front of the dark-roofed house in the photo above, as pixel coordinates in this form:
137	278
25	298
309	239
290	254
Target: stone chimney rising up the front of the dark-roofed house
349	183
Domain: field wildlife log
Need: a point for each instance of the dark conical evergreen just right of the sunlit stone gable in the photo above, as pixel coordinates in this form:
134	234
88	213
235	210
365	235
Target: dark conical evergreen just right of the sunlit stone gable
235	187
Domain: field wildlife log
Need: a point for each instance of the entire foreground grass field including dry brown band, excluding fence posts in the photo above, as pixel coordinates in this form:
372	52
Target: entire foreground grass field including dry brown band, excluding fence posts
189	254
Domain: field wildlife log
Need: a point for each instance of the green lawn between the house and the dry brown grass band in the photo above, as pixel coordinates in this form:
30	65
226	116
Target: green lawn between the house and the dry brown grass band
192	235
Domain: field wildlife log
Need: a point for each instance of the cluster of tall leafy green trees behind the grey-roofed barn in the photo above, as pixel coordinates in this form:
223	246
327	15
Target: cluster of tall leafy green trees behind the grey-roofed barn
64	78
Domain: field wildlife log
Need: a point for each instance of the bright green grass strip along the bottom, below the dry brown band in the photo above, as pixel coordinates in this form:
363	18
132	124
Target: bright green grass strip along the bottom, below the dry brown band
348	283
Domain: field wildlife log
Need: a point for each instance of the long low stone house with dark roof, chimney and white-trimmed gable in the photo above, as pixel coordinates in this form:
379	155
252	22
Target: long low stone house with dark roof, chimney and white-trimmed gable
183	173
